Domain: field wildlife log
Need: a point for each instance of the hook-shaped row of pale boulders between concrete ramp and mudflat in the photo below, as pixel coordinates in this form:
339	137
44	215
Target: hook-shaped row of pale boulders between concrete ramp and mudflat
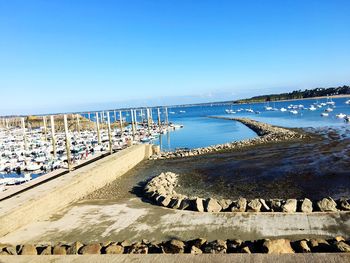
161	191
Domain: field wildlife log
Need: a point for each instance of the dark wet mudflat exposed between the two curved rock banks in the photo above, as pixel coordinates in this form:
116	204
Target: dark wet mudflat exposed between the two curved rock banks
315	169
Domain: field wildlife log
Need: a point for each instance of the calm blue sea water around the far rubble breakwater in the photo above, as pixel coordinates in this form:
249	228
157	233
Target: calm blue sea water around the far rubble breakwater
200	131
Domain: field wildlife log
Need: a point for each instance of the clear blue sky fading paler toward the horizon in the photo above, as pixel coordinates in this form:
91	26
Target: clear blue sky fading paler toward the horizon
84	55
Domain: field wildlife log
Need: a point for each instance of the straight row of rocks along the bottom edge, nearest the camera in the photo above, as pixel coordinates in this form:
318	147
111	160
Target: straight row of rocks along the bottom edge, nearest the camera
174	246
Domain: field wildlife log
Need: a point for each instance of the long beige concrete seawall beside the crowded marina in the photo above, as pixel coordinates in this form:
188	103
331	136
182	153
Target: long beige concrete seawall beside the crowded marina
42	201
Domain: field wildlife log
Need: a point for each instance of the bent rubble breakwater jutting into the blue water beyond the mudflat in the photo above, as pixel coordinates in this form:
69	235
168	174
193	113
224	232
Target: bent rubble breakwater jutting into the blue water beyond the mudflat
266	134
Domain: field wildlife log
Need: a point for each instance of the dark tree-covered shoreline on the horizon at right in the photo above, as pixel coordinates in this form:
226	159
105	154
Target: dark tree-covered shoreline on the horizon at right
299	94
